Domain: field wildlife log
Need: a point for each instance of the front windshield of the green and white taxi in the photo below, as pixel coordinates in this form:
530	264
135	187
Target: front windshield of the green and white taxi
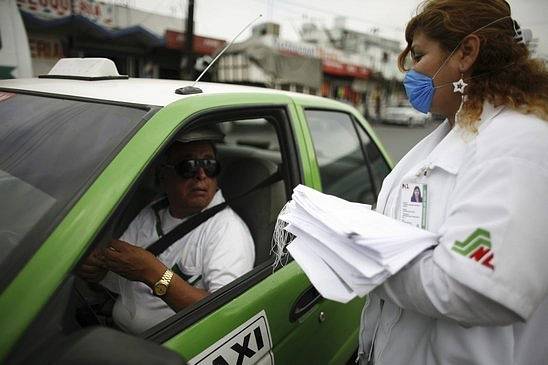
50	150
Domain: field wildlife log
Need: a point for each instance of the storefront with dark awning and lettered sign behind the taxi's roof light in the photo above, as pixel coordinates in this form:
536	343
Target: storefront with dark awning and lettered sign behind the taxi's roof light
85	28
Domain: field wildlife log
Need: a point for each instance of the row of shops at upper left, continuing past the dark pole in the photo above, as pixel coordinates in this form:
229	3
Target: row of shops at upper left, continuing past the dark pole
142	44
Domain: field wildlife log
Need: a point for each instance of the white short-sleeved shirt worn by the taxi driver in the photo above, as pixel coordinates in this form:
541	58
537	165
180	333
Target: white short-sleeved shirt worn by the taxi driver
212	255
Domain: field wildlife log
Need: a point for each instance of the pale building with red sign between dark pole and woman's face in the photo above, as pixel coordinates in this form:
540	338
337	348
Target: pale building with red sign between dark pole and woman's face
358	68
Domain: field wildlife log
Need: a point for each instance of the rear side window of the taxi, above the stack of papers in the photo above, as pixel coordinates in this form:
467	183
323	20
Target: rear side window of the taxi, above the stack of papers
343	151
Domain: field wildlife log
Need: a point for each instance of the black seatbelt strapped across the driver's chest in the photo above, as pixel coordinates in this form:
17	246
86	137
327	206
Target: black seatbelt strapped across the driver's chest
158	247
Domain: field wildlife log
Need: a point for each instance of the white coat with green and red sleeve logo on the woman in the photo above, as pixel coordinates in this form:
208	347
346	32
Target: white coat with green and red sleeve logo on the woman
449	308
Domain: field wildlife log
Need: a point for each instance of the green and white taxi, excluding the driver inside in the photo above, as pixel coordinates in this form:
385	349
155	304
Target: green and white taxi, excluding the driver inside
78	157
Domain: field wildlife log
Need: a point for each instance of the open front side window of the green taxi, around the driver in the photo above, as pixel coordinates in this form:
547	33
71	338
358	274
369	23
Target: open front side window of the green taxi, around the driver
251	152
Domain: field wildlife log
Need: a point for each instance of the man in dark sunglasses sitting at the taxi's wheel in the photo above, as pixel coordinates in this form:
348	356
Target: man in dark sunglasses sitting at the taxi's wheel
208	257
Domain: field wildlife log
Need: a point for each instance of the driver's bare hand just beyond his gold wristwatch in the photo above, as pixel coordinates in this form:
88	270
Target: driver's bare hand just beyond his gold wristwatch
133	263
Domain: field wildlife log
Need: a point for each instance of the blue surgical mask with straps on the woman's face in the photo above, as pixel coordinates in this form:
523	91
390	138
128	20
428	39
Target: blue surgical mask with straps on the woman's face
420	87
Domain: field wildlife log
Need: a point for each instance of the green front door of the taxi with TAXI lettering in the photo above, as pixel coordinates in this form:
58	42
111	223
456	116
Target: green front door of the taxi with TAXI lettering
270	315
